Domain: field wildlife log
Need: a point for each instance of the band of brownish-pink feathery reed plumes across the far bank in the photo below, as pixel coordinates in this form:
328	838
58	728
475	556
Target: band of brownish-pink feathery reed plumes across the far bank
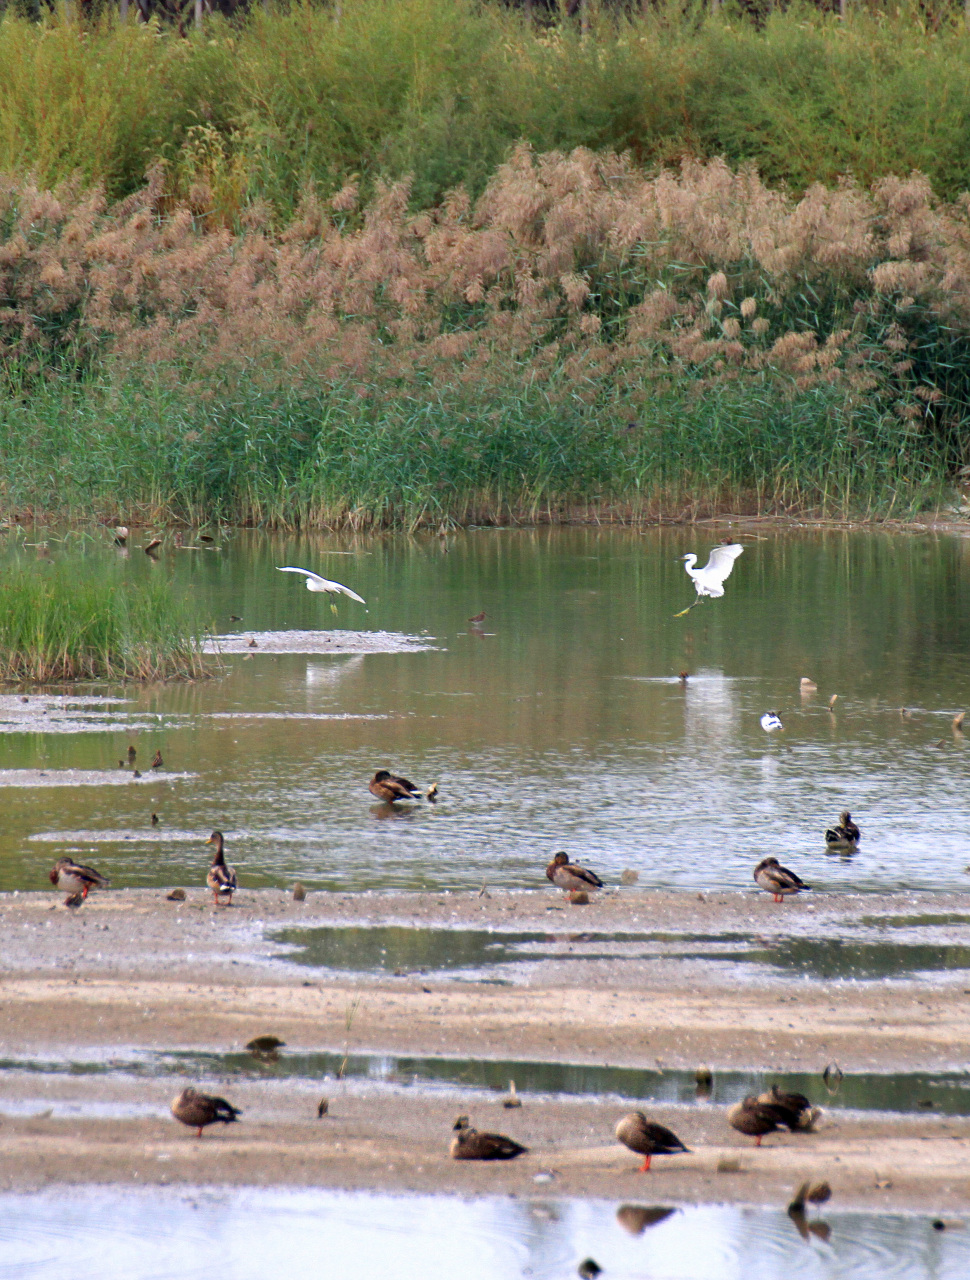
569	271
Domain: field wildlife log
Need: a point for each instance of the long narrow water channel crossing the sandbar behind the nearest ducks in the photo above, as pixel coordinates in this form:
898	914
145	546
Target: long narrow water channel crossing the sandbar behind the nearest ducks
905	1092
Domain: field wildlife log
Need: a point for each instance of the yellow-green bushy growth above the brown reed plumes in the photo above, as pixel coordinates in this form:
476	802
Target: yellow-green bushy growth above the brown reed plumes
303	98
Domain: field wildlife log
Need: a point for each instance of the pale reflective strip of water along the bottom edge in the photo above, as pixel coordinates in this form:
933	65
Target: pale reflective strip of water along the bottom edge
113	1235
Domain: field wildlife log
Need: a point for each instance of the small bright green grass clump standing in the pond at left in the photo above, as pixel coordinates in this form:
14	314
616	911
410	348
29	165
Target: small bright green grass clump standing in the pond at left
58	623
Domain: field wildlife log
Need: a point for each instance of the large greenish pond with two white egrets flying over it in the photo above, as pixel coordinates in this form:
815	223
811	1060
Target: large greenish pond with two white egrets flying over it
557	724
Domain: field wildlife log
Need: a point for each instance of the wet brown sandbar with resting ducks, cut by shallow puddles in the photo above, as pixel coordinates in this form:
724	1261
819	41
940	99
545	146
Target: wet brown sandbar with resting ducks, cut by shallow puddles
131	970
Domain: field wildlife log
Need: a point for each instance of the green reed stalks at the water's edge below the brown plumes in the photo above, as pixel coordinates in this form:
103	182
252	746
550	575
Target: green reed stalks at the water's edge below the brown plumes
314	456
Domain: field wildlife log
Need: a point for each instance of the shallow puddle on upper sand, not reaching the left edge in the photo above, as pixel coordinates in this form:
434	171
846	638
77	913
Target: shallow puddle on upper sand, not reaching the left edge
484	956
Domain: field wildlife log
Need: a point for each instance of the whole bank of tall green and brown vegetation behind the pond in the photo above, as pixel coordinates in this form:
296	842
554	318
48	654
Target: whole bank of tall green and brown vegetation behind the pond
314	310
